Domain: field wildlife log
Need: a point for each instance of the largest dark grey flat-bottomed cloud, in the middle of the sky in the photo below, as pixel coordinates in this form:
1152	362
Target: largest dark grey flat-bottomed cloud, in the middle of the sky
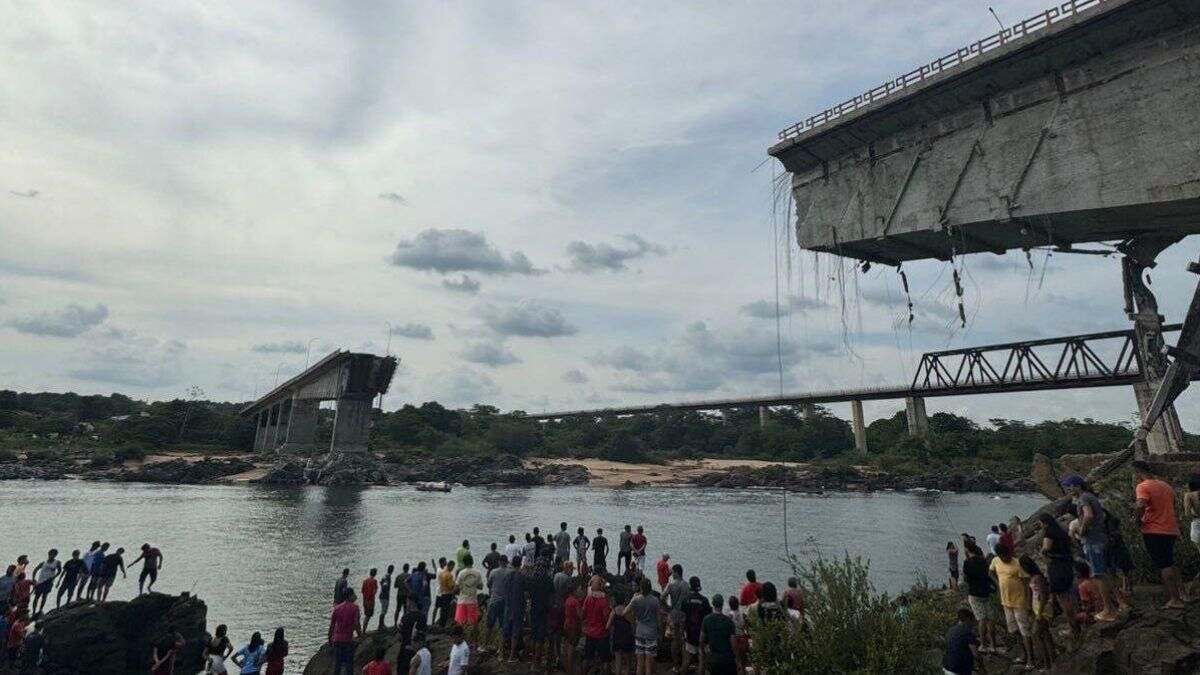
459	250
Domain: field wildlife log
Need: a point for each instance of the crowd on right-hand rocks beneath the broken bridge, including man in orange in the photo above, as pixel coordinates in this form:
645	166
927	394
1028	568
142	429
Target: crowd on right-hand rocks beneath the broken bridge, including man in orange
1071	576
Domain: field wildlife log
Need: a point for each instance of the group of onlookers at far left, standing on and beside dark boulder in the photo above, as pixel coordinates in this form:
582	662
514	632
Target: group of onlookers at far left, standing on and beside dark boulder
85	577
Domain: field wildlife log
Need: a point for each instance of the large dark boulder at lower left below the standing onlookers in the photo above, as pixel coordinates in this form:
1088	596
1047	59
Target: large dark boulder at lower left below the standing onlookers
117	638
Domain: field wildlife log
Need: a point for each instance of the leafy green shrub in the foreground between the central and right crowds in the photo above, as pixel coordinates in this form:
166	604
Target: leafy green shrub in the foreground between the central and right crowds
853	629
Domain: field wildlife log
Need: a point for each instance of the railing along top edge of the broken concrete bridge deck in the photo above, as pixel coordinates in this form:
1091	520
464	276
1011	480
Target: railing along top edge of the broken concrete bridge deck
955	59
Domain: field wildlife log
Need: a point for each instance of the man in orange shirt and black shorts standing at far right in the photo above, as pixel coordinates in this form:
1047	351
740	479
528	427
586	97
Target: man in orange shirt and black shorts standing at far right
1156	517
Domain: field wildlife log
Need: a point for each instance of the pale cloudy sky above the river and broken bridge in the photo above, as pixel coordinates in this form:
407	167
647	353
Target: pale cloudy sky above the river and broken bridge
537	206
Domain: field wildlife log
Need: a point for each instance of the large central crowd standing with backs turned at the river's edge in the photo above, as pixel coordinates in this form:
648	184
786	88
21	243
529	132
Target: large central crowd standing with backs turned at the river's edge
553	601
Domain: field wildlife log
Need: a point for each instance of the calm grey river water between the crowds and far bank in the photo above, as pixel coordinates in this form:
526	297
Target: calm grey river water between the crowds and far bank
263	558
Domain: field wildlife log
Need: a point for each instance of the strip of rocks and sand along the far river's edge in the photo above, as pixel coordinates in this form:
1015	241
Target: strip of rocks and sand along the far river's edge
512	471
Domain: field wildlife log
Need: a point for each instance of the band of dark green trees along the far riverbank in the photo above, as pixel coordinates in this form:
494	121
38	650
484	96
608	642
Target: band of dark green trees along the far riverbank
117	427
